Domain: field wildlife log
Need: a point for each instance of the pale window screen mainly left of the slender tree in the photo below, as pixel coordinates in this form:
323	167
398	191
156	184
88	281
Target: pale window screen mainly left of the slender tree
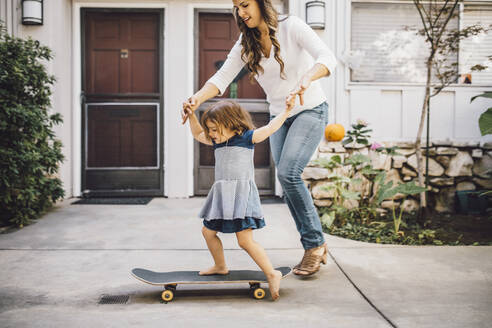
383	49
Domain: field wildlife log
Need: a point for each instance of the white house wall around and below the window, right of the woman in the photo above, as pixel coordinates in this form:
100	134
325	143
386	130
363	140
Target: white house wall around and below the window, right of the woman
393	110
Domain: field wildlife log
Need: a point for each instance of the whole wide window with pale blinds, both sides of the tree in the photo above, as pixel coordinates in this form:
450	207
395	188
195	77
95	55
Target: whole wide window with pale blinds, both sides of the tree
383	50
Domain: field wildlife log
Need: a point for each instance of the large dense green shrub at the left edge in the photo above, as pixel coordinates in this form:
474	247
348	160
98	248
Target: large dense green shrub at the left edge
29	153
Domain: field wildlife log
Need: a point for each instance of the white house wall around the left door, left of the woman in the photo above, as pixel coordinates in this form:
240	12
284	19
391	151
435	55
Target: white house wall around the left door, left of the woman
61	32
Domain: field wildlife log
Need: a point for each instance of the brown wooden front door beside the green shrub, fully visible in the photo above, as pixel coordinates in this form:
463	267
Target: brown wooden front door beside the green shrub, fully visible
123	103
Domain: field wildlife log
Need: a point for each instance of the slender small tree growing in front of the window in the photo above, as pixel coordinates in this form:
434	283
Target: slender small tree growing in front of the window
443	43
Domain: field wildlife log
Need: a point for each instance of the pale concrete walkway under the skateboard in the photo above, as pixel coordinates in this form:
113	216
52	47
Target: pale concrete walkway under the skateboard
53	273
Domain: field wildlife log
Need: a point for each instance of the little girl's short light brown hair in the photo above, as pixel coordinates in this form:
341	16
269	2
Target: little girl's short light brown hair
227	114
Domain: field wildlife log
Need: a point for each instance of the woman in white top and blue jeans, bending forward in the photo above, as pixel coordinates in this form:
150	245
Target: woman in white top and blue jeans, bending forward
279	54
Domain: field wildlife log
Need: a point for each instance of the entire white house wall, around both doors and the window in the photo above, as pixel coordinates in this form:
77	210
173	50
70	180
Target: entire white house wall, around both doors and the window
452	114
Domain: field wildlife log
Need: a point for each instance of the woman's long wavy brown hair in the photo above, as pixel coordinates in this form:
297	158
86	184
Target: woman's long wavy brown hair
251	52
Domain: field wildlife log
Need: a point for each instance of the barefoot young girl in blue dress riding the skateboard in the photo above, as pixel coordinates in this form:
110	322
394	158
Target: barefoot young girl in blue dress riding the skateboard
233	203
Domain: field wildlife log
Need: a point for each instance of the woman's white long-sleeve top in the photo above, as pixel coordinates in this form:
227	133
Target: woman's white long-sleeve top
300	49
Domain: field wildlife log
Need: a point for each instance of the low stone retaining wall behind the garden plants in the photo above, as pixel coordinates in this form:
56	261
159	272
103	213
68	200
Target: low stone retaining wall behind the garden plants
452	166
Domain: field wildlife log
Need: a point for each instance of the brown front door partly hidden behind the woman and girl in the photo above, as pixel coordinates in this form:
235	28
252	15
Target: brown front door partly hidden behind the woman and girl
217	35
